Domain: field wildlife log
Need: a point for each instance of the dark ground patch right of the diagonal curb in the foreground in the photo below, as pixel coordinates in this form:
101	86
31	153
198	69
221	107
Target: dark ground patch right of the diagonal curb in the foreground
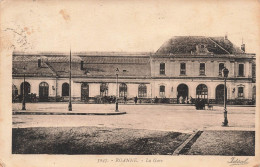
227	143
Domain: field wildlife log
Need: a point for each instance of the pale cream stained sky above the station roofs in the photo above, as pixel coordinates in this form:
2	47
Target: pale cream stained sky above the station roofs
129	26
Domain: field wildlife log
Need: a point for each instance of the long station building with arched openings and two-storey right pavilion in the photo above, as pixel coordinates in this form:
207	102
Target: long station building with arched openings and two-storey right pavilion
183	68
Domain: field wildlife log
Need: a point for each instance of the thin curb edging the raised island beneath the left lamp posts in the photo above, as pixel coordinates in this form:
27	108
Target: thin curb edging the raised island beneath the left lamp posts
60	113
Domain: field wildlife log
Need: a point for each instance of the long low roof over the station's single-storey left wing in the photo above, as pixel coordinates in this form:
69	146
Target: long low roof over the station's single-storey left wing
93	66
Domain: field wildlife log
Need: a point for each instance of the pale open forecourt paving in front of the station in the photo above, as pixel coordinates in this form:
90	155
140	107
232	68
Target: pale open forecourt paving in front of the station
153	117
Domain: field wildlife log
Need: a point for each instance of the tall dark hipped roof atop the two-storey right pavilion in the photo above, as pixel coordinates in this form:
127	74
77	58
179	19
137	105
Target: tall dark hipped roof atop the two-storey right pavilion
189	44
